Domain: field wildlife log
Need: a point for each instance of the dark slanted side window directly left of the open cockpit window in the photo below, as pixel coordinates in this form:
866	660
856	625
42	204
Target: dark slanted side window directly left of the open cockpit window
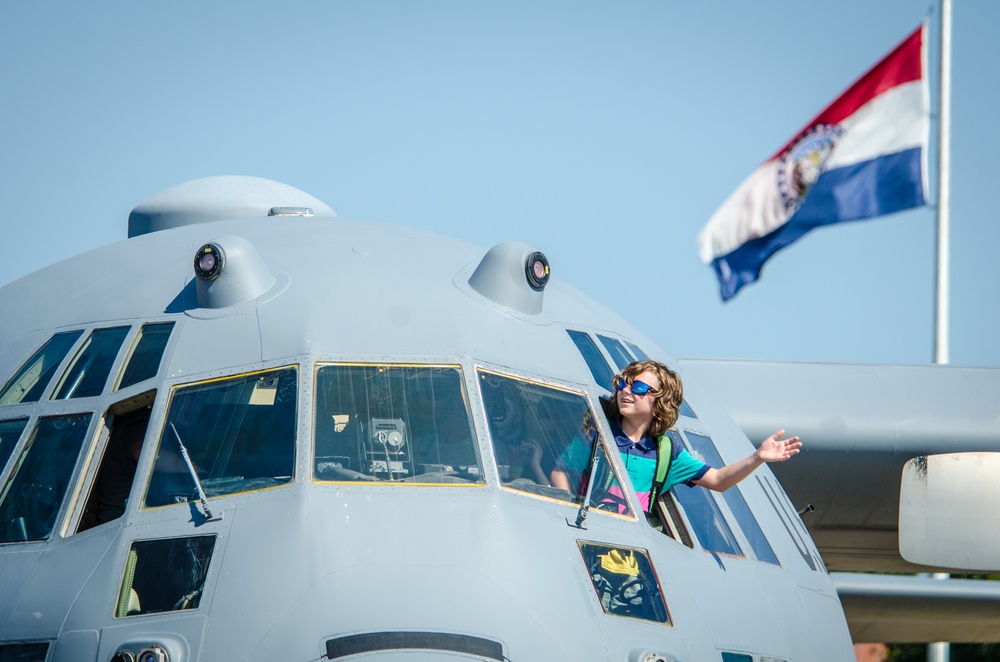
35	489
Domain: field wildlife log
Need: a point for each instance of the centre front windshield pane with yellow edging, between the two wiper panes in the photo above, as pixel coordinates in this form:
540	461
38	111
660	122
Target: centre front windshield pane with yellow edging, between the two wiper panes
394	423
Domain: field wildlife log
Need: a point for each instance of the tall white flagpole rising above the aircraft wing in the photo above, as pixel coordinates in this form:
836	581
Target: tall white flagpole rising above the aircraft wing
944	188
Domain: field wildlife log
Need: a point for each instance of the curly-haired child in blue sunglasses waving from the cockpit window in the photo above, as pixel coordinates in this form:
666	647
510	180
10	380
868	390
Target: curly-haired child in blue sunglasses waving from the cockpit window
647	401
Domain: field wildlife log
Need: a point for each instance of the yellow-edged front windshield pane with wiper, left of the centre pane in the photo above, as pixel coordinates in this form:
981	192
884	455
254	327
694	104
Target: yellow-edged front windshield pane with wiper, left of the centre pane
238	432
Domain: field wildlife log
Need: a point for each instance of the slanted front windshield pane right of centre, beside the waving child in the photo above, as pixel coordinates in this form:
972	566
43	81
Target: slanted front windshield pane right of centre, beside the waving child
544	438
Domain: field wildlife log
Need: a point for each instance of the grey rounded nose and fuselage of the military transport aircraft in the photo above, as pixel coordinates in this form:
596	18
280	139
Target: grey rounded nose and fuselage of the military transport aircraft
254	430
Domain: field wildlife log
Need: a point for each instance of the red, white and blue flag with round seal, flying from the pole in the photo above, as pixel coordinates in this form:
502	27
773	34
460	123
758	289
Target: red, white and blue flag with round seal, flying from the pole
863	156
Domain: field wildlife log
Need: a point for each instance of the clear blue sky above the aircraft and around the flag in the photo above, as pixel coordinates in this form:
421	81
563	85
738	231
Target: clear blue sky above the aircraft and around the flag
605	134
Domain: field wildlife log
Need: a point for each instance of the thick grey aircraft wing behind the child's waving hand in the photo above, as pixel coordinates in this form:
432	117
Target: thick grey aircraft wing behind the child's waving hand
859	425
